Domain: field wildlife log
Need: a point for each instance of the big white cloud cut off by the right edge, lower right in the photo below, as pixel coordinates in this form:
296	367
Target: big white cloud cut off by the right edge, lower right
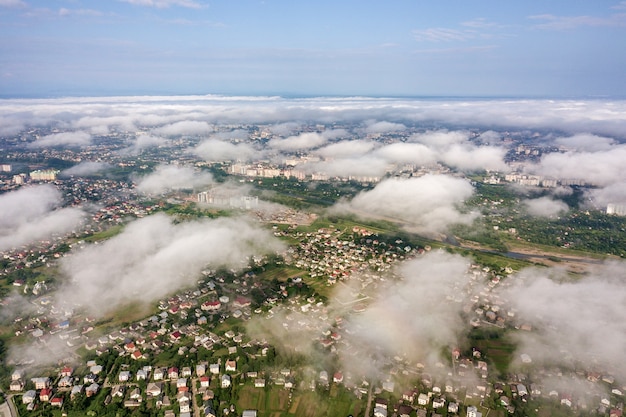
574	321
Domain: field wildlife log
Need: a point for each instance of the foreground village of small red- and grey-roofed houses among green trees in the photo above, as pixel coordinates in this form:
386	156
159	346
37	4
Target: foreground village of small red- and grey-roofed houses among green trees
194	356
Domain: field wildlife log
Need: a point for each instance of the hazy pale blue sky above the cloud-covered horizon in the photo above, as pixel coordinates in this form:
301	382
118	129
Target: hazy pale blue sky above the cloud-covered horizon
436	47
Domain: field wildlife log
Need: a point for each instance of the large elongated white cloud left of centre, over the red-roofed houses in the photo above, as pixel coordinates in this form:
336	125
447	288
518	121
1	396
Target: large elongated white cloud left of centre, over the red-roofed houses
153	257
